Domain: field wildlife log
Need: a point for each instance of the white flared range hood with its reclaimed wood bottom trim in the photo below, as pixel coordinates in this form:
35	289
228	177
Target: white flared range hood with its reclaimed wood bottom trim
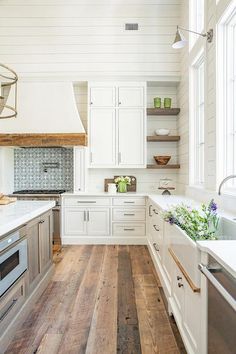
47	117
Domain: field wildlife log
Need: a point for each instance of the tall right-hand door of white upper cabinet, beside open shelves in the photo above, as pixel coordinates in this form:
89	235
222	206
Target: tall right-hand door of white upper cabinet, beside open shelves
131	138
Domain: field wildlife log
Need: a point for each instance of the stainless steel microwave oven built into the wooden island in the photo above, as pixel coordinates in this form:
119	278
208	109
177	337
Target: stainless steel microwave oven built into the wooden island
13	258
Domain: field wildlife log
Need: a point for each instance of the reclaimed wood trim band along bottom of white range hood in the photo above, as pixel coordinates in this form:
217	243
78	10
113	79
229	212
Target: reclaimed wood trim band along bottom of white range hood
43	140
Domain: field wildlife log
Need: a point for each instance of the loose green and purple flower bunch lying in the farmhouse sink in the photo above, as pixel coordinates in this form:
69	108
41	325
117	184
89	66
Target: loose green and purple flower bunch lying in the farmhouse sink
199	224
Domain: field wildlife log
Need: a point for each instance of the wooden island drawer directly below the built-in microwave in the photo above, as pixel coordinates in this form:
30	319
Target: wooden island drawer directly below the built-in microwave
11	302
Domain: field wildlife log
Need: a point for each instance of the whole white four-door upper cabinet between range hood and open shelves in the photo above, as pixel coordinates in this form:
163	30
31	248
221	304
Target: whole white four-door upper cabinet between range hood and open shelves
117	124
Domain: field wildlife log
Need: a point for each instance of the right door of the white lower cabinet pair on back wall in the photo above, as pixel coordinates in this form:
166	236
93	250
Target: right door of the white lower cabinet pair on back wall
98	222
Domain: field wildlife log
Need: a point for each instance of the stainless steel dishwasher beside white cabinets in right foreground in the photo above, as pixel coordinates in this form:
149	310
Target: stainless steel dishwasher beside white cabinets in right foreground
221	308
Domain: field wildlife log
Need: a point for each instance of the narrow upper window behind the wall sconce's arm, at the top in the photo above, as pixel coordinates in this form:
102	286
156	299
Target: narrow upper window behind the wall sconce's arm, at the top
196	19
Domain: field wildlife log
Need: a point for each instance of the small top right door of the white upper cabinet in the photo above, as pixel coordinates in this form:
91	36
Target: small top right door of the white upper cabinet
131	96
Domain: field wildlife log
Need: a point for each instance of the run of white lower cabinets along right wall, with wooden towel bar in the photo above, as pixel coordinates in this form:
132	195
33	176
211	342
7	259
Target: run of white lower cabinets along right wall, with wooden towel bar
185	302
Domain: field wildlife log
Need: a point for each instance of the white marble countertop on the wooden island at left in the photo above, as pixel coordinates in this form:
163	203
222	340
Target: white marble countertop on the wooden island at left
15	214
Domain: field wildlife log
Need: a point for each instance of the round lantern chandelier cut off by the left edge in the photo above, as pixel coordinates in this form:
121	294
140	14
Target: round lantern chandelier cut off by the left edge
8	92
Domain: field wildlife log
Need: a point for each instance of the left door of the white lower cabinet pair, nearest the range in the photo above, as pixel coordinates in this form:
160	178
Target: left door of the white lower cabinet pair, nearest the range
75	221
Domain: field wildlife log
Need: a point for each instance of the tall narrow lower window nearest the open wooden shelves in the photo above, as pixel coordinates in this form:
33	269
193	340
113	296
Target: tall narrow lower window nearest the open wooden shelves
197	143
